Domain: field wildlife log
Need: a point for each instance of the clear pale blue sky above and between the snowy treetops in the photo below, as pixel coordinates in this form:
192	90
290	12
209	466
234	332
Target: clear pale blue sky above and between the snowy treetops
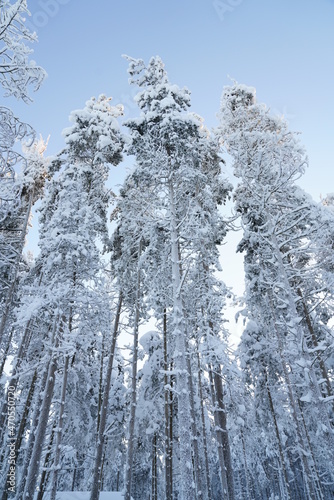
283	48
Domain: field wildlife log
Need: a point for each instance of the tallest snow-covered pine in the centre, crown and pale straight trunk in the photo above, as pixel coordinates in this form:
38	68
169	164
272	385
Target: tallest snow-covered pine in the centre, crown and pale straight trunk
176	196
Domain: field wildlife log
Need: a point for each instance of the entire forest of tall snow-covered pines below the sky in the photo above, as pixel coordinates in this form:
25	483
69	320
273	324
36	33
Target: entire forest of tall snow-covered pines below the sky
117	371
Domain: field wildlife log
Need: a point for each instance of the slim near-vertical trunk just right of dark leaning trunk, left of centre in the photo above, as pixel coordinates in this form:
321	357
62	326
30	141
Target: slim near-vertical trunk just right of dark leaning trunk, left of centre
131	435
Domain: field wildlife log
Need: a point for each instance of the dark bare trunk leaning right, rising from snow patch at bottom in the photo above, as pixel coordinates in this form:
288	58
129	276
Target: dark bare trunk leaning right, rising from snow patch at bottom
104	407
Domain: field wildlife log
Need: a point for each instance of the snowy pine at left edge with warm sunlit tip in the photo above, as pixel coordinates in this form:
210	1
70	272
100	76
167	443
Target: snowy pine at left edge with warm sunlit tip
27	188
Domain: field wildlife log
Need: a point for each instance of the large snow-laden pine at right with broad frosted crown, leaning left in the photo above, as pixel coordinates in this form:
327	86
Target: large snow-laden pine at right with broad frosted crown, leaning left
277	222
